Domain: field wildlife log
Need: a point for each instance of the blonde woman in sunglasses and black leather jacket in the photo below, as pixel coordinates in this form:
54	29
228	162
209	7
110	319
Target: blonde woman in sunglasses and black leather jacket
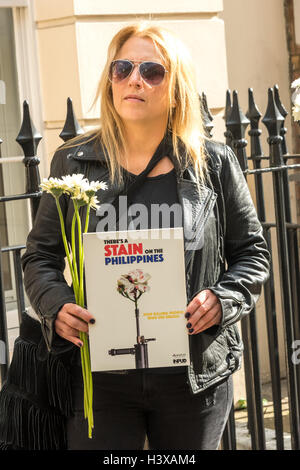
150	146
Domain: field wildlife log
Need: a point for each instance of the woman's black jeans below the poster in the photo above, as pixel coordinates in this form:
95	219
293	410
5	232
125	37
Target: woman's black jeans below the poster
128	407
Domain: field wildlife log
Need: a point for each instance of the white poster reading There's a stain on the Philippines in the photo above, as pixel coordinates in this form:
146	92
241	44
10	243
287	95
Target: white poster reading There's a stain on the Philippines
135	286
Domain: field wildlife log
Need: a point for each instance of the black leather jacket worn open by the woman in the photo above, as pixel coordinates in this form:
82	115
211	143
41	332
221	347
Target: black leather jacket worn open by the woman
227	253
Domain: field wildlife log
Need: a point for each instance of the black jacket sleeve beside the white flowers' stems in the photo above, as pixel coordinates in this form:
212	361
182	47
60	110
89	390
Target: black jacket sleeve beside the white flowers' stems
43	262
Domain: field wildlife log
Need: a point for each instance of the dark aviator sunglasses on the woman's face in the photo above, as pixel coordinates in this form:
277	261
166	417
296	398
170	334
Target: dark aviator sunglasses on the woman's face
152	73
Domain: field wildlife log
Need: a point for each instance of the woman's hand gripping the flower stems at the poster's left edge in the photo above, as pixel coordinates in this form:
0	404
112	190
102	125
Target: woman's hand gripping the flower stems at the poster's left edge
72	319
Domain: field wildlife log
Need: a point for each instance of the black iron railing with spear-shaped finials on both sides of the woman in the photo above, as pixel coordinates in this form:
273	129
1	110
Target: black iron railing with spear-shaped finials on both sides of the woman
287	252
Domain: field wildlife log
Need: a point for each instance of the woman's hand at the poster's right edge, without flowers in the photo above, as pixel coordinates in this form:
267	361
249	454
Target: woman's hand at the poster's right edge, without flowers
203	312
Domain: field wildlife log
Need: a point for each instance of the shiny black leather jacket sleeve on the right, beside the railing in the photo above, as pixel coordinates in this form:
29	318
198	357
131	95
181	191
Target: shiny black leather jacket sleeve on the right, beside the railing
245	248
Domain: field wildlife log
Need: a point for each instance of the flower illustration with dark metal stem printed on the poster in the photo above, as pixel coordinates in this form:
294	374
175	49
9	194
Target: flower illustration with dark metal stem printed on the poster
132	286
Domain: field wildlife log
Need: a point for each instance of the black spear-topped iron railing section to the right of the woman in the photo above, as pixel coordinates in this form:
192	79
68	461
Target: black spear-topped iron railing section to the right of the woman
288	257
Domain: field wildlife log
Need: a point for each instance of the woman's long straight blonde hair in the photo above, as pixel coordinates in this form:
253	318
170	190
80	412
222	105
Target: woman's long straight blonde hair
184	121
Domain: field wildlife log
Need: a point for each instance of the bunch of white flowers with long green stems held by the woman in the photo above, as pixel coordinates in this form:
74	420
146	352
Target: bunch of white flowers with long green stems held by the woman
82	192
